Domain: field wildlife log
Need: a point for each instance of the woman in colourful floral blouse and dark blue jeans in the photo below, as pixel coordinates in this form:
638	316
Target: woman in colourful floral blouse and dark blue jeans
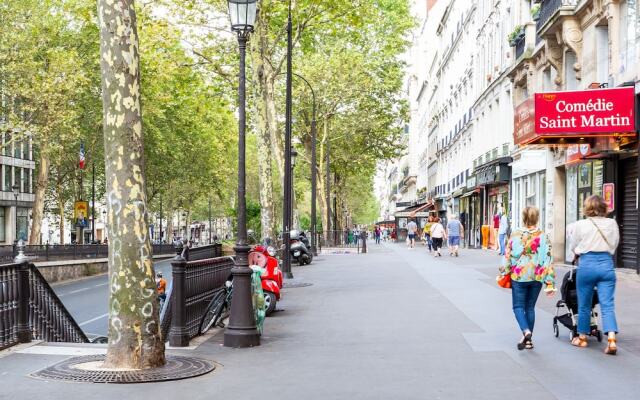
528	260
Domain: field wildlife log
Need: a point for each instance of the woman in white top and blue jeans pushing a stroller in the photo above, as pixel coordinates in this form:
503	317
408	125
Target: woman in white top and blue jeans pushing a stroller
594	241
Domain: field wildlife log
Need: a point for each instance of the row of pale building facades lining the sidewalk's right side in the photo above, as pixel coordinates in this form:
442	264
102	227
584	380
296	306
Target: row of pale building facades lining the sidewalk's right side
474	99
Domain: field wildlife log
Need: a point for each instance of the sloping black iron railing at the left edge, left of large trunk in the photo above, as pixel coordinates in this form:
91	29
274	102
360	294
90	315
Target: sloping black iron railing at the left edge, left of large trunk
30	309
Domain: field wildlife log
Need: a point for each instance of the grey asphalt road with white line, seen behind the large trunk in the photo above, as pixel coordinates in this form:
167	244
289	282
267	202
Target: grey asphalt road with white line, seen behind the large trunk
86	299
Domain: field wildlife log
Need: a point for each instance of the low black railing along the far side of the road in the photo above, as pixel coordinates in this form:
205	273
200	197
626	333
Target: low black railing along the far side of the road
62	252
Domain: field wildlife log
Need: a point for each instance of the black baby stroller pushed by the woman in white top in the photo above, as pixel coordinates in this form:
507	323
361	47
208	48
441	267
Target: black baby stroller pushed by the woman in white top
570	303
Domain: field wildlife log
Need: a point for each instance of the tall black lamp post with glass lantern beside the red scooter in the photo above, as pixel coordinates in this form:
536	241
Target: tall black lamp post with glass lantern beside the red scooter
241	330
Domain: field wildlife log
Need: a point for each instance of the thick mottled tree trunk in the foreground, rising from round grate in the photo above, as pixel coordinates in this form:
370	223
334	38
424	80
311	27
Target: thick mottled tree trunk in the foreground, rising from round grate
134	335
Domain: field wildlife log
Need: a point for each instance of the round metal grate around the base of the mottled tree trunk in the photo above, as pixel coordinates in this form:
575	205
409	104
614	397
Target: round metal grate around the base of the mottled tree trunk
86	369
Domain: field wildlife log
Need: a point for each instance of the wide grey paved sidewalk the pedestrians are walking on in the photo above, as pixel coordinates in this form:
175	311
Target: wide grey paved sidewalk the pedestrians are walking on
391	324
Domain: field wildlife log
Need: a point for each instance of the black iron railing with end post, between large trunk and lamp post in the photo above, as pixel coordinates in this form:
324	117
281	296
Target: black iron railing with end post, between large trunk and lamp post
194	284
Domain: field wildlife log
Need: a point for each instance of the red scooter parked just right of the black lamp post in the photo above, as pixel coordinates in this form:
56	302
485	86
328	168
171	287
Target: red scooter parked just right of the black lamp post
264	257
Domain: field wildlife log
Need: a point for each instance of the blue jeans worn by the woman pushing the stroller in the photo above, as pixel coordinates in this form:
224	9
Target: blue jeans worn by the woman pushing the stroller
596	269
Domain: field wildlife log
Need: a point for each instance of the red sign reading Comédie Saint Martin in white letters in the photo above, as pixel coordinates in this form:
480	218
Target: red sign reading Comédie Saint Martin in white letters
585	112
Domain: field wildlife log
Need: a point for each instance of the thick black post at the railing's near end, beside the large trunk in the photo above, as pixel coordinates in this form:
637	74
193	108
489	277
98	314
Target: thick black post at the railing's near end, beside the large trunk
178	334
